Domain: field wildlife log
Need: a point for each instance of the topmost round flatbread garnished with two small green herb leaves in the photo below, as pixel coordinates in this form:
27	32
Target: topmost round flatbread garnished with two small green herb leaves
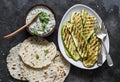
36	46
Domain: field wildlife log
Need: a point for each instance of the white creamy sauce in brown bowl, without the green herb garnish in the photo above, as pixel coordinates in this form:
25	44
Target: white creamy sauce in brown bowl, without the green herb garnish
38	24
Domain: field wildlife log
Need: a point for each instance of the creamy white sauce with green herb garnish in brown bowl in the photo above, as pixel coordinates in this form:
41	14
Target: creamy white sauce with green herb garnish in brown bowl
44	23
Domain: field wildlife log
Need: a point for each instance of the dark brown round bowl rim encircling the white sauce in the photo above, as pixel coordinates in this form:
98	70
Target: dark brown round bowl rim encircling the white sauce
35	5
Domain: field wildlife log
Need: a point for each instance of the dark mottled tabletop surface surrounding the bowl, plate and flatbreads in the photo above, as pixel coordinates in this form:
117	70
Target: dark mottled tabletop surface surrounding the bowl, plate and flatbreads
12	17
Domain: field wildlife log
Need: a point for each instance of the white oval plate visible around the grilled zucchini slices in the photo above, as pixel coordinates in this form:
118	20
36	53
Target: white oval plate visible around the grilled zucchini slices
66	17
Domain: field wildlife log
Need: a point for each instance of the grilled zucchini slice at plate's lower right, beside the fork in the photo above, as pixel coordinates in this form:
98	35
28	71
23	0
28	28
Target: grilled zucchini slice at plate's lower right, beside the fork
94	48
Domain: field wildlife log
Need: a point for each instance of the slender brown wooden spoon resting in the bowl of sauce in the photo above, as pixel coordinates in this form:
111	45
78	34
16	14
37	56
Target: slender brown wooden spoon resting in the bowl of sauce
21	28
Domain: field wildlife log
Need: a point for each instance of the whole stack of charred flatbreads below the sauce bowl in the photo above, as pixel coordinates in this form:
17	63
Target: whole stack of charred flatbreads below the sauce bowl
37	60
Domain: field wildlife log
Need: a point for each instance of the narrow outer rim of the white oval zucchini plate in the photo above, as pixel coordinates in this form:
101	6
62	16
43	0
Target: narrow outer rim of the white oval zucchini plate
59	36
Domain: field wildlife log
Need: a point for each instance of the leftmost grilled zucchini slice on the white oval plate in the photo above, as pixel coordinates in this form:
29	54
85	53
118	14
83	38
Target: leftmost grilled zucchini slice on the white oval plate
69	42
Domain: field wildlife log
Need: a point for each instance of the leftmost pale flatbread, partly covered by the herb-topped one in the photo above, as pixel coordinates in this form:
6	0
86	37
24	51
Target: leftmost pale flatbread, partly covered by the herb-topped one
13	63
